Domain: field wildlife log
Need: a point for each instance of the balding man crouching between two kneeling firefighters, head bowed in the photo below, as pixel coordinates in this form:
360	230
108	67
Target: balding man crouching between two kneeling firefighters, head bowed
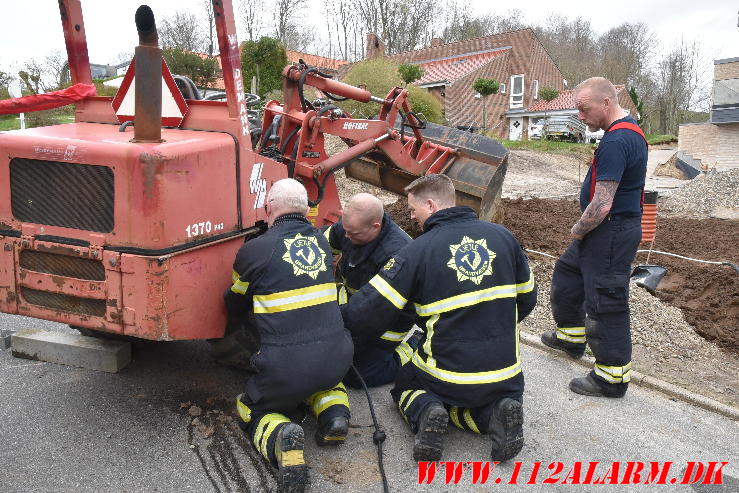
366	238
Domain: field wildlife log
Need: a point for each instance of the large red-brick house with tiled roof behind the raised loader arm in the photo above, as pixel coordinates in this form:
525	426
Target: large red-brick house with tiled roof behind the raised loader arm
516	59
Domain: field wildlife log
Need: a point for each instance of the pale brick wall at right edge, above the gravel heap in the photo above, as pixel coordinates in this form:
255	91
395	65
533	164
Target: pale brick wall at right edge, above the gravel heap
712	144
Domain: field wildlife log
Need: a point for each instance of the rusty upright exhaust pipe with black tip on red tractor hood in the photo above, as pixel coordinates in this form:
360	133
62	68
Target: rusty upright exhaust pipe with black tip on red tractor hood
148	109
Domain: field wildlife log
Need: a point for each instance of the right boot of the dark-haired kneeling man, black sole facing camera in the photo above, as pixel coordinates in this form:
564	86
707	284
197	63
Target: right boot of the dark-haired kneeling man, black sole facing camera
505	429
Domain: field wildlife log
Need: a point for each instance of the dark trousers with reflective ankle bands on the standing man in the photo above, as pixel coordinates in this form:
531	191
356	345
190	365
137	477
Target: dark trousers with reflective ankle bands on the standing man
590	288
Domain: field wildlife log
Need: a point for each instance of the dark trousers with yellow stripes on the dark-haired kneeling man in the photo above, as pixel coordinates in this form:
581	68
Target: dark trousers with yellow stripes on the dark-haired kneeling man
411	398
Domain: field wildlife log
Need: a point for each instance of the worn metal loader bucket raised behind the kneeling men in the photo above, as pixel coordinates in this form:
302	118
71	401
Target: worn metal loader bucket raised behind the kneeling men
477	166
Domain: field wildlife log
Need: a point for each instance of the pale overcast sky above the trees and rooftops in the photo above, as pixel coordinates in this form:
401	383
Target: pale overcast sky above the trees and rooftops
32	29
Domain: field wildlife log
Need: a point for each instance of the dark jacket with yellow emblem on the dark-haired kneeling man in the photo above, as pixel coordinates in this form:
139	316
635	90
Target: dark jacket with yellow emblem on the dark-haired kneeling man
470	283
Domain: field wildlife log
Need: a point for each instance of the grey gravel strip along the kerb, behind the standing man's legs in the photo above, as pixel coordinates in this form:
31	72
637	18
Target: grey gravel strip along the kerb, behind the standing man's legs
664	344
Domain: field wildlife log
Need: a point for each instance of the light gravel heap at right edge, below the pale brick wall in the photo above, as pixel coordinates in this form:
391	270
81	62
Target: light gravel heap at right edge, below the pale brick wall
705	195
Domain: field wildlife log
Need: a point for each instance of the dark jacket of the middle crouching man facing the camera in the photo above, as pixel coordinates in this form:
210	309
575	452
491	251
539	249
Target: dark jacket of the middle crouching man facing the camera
360	263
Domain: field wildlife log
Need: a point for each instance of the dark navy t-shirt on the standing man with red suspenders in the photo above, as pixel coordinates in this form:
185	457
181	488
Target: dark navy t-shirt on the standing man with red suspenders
621	157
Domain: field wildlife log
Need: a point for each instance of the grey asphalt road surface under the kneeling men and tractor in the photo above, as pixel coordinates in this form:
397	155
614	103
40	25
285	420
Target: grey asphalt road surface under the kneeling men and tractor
65	429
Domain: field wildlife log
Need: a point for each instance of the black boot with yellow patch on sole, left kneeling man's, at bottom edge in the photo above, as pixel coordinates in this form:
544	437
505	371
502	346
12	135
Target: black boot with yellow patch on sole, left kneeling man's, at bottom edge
292	472
